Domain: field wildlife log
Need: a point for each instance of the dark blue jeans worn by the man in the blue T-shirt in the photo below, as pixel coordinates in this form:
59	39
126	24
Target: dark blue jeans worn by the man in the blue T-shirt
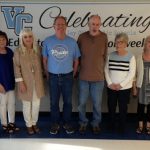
61	84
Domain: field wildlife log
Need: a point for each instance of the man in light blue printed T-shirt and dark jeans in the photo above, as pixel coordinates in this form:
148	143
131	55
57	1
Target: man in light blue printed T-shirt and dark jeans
60	58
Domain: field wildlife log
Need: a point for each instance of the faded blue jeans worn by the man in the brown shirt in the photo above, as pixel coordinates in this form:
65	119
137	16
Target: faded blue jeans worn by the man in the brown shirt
95	89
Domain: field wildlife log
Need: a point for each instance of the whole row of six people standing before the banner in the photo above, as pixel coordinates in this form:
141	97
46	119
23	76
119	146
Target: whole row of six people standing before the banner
61	57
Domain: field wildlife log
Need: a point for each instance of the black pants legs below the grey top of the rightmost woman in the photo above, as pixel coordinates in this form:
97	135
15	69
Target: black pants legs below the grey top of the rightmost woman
141	112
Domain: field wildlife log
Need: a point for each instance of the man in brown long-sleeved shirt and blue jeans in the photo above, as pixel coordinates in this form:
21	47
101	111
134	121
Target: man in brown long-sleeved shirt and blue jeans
93	46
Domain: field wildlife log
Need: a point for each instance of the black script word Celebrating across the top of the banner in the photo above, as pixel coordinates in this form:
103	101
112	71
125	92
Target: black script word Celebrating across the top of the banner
74	20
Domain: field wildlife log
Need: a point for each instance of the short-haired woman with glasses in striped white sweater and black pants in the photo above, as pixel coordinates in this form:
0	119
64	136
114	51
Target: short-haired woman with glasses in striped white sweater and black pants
119	72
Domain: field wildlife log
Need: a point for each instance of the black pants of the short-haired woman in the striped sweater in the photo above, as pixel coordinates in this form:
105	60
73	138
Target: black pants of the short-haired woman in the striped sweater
122	98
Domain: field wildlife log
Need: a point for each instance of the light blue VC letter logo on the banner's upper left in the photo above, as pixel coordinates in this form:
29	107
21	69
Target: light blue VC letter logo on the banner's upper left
15	18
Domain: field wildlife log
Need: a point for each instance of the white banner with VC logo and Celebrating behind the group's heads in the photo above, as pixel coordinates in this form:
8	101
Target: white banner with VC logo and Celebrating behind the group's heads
132	18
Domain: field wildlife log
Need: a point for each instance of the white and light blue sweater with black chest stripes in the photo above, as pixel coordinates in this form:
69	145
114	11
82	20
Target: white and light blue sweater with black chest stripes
120	69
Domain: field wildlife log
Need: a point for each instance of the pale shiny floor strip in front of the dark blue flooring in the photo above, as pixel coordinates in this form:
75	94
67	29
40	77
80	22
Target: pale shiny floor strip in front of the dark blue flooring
72	144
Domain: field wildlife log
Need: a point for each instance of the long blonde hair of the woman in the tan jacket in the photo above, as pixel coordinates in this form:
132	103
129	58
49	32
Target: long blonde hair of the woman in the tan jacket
22	46
